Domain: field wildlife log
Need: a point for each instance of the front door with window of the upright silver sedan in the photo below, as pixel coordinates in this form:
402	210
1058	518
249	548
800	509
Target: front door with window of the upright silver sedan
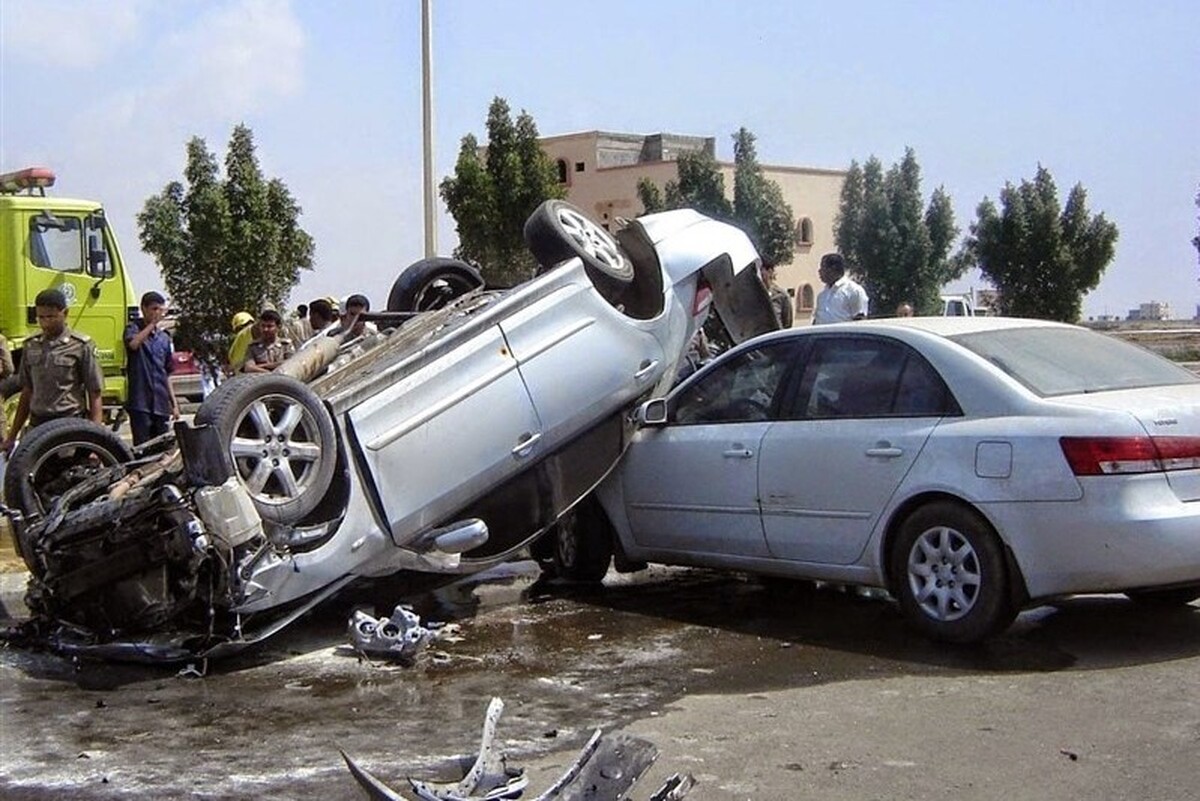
692	486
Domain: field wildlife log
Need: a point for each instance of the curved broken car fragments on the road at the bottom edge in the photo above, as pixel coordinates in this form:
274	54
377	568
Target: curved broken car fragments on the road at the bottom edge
605	770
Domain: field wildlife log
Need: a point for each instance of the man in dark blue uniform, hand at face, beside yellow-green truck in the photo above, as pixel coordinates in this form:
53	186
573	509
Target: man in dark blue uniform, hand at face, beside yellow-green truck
152	403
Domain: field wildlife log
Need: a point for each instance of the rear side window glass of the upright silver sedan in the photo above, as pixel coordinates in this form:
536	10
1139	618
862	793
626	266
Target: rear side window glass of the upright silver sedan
871	377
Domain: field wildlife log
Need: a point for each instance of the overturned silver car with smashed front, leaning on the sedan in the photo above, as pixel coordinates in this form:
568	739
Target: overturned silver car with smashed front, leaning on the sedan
445	444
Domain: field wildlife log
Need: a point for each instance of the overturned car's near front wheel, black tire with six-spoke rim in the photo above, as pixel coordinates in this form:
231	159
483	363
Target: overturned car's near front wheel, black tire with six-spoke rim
279	439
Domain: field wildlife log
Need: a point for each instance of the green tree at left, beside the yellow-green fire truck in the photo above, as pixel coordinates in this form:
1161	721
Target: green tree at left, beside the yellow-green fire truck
226	245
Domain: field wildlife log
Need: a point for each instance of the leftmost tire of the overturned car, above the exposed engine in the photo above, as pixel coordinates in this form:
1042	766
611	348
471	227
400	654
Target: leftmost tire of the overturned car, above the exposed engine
41	466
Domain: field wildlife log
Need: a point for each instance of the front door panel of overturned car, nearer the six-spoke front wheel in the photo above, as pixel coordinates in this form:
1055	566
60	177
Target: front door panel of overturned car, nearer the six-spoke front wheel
448	432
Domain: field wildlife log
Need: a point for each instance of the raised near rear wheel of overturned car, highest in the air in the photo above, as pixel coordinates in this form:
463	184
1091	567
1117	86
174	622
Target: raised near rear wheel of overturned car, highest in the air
557	232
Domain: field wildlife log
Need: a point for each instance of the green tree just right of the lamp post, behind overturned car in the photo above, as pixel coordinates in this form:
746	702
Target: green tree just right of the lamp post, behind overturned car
491	195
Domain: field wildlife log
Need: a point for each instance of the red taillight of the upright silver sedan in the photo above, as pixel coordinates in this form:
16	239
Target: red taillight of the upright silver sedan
1102	456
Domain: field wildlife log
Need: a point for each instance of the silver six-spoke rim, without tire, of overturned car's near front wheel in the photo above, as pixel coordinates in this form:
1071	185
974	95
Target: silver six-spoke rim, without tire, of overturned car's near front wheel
277	449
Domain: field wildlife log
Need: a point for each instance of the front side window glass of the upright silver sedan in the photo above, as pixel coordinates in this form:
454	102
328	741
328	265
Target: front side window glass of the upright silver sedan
742	389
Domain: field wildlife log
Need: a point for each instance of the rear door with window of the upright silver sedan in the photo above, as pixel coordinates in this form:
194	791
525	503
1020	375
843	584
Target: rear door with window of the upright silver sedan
863	412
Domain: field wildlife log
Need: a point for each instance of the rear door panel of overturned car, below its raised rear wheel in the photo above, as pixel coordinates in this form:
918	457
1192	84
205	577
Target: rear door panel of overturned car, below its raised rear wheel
581	359
